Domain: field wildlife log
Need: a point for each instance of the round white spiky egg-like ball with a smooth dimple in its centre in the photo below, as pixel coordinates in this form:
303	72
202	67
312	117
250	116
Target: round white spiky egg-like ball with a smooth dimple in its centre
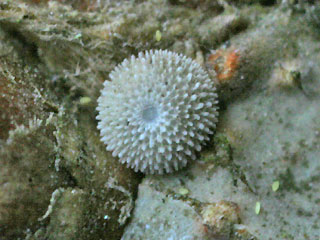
156	111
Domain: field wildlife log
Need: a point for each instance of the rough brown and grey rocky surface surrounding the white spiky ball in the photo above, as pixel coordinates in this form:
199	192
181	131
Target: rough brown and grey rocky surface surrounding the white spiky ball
58	181
